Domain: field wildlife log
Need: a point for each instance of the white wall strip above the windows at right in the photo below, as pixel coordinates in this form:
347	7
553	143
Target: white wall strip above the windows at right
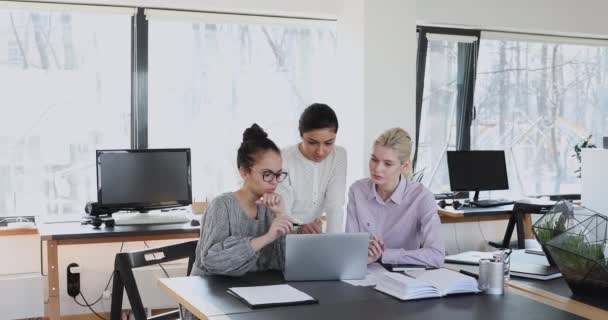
585	17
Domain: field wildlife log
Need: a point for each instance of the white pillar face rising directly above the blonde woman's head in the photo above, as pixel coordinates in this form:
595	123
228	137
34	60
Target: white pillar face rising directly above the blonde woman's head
390	68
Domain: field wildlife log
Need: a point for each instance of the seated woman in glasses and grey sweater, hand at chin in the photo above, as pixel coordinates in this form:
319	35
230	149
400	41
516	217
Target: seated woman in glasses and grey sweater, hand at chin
243	231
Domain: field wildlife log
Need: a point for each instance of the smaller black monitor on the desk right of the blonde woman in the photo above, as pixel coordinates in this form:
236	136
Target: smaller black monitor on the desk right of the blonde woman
477	171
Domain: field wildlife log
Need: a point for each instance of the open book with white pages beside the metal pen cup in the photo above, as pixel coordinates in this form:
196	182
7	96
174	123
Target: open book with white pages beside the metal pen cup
430	284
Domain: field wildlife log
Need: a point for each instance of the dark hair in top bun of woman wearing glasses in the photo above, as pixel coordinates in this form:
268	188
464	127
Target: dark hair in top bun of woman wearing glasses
255	139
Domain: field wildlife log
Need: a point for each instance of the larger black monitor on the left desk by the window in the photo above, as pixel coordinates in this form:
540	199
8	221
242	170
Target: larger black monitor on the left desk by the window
143	179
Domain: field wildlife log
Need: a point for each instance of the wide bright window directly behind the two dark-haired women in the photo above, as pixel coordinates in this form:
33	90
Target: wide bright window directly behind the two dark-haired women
211	76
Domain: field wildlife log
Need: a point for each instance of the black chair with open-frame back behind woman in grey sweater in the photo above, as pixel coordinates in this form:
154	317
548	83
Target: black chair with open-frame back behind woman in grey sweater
124	278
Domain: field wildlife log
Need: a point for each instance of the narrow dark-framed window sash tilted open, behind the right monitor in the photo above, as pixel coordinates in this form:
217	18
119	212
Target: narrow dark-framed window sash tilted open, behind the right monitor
446	59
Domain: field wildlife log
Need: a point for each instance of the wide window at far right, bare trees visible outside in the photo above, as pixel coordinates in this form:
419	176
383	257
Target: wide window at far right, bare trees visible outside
536	97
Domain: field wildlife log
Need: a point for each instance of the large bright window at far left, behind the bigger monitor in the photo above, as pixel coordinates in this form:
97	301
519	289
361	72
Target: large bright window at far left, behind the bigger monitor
65	82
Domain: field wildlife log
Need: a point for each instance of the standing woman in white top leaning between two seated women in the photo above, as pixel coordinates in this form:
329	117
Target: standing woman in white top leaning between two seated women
317	172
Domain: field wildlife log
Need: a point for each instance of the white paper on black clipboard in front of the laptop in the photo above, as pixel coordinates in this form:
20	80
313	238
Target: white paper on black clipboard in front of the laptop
270	296
